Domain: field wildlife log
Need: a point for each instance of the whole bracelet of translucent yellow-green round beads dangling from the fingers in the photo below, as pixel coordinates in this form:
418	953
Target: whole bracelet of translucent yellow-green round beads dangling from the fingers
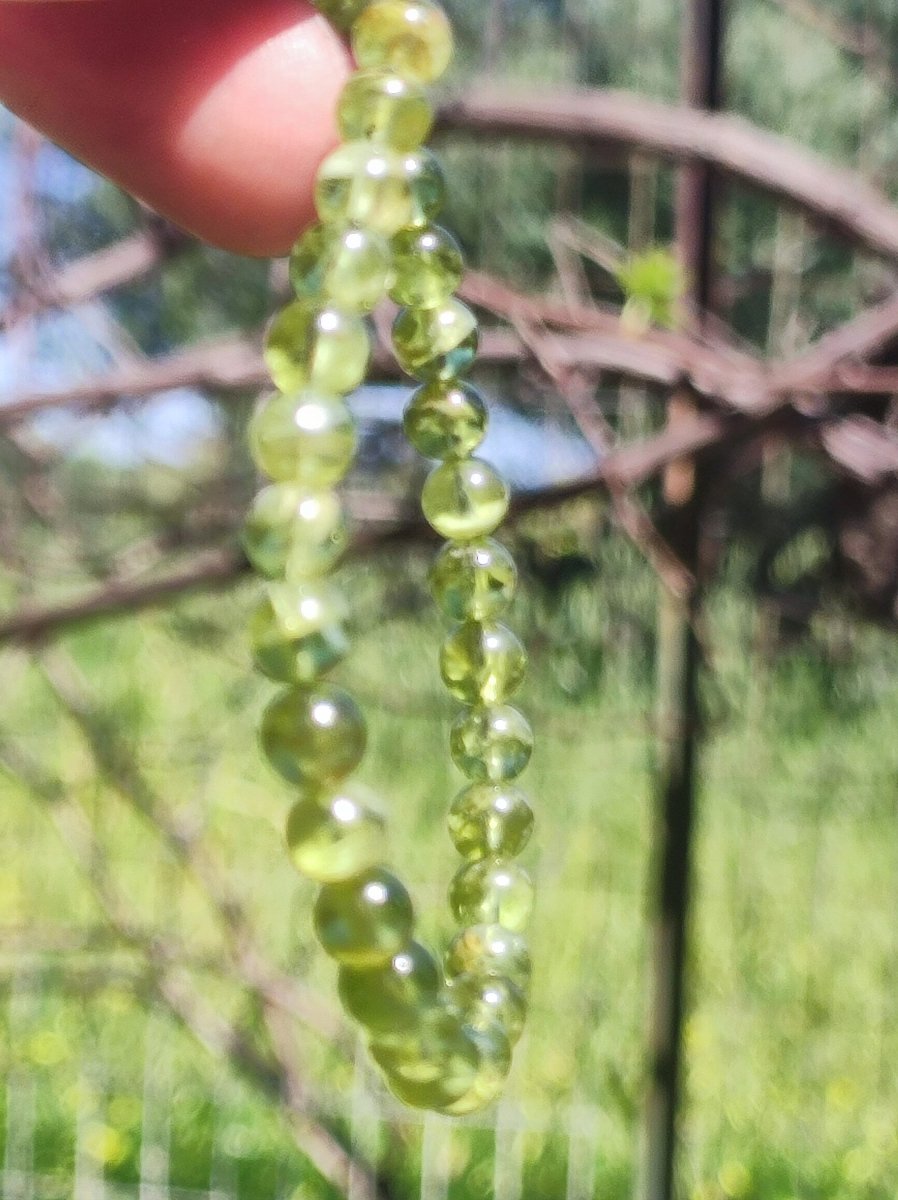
441	1037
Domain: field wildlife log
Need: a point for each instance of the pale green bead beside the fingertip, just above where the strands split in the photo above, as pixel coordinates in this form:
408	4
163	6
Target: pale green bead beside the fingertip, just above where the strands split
364	185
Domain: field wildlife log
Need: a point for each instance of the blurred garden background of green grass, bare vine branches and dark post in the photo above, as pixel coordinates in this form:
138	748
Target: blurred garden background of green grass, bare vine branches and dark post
715	669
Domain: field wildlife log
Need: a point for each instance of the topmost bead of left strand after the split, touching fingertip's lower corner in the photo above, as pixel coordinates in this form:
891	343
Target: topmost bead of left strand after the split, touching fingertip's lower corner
349	268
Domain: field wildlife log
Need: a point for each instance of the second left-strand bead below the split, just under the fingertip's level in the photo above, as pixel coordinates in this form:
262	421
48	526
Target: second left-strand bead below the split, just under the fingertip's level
316	347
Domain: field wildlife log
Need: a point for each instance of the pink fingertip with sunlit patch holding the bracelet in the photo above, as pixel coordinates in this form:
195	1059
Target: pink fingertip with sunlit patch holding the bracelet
214	112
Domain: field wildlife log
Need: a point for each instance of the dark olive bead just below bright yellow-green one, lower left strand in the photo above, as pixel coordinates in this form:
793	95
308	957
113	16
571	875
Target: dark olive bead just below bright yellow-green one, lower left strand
367	921
